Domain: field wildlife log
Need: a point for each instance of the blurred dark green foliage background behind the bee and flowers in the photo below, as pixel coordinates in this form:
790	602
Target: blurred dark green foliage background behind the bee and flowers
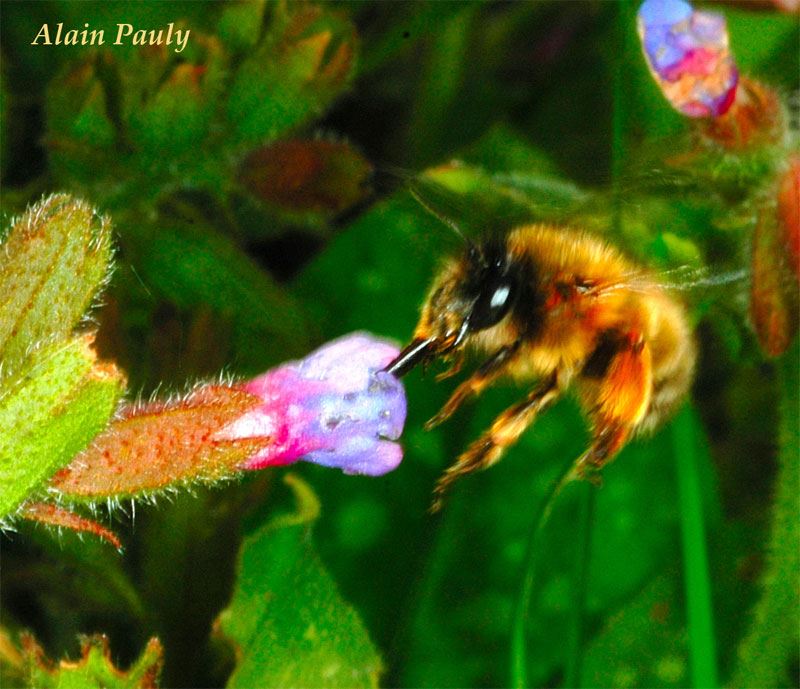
541	99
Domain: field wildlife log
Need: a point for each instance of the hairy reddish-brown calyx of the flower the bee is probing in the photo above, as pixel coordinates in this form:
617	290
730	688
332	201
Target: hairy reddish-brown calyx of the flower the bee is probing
156	445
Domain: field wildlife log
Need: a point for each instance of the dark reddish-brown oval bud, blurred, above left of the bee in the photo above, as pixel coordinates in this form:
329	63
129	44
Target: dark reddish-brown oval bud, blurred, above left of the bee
323	177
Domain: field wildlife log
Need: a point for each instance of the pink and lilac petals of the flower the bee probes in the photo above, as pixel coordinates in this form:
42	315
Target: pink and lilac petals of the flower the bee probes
336	407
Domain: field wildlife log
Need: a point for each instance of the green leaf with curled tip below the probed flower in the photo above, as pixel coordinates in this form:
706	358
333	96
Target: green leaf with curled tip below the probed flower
290	626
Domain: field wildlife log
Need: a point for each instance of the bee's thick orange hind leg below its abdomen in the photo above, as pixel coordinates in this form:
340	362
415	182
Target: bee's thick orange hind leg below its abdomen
620	402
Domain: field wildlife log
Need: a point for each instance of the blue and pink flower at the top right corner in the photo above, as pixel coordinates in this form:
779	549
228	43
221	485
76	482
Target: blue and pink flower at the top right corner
688	55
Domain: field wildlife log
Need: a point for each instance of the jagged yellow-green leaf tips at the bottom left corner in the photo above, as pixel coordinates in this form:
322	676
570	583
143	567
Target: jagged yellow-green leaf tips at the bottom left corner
95	669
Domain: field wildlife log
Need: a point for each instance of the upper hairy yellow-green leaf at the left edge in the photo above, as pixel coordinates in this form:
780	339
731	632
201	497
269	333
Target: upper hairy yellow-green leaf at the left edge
52	263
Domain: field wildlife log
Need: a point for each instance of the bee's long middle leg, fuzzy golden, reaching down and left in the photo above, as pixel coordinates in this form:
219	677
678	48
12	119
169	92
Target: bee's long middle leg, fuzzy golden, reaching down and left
505	430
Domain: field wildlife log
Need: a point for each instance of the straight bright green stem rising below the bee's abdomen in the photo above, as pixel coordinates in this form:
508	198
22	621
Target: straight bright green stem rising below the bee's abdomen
702	643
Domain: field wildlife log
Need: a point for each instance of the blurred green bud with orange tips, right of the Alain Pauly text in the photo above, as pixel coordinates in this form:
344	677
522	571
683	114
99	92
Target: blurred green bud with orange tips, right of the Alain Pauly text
306	60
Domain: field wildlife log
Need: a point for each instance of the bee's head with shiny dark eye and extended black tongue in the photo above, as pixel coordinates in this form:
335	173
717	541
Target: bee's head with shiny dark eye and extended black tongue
472	293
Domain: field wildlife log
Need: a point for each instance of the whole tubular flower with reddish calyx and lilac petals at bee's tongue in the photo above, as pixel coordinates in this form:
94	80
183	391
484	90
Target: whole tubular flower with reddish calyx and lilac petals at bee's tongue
335	408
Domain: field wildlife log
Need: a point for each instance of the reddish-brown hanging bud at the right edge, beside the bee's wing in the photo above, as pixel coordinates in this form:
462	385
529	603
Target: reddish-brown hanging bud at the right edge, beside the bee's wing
774	299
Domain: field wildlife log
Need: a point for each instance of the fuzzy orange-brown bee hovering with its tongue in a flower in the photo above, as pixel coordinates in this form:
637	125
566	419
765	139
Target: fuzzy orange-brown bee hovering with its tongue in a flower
560	309
